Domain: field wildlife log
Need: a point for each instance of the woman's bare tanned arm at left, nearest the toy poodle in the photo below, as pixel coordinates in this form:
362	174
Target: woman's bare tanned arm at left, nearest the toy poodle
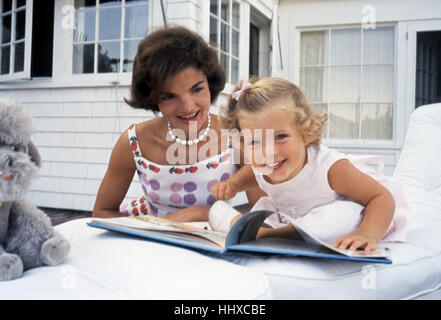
116	181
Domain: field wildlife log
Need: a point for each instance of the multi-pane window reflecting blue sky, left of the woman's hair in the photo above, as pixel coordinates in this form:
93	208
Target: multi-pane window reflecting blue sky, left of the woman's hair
106	34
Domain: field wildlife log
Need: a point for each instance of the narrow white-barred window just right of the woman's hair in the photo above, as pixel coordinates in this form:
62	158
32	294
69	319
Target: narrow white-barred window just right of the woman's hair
224	35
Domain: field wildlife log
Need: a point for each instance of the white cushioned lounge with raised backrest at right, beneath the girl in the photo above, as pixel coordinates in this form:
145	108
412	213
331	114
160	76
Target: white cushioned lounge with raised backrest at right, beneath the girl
416	268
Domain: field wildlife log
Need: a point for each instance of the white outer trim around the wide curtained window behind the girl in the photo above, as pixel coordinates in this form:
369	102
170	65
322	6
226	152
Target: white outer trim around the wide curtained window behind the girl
356	143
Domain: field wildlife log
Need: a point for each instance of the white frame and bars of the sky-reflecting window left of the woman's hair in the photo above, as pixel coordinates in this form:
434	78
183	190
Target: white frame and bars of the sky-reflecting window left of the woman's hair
96	77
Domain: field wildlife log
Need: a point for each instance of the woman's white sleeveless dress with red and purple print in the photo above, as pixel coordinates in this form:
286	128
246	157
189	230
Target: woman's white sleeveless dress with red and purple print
169	188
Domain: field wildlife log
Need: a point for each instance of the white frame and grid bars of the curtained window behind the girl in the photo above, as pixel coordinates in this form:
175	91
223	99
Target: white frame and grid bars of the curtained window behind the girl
377	143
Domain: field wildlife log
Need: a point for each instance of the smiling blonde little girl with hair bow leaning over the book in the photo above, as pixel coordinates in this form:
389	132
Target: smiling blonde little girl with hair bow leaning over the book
333	195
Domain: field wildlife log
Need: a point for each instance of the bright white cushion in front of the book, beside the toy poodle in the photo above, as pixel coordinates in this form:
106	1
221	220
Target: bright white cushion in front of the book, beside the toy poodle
105	265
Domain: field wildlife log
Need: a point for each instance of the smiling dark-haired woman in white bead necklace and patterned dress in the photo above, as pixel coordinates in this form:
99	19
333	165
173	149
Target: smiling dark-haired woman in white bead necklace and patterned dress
177	74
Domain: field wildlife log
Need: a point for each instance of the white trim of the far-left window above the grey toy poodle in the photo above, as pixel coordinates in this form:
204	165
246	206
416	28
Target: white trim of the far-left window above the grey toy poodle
26	73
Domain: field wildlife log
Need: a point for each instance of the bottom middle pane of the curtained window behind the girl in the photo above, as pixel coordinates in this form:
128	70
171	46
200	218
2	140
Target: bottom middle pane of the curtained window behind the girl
343	121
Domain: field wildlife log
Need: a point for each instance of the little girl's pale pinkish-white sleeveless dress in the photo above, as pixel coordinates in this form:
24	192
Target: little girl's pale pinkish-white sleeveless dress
309	199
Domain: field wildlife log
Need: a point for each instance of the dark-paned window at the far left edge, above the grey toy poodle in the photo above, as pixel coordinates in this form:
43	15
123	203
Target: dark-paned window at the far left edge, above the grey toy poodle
13	35
